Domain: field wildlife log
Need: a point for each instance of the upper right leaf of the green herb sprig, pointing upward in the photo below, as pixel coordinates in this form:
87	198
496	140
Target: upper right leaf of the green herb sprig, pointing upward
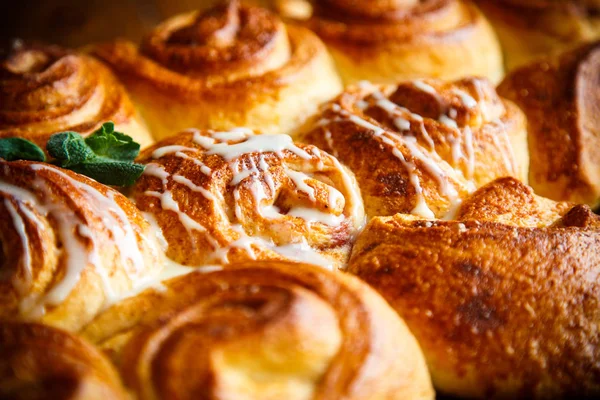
106	142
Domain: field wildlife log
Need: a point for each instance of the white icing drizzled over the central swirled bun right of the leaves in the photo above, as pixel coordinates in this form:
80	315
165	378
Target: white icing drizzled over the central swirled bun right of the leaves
253	174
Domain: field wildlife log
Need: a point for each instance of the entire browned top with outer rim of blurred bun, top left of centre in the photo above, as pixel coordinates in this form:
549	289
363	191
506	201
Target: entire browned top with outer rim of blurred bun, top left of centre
229	50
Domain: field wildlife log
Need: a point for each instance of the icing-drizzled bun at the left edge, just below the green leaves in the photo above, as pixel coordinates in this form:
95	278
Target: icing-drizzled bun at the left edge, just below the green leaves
69	245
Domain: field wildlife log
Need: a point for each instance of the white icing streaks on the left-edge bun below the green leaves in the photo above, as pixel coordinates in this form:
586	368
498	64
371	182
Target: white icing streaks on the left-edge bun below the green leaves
80	244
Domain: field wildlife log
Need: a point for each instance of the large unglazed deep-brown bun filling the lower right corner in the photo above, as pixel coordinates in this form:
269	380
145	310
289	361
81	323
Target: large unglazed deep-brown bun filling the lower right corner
504	301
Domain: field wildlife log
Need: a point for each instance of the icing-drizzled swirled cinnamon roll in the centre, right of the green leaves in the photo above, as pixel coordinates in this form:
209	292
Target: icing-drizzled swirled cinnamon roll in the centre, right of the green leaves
220	197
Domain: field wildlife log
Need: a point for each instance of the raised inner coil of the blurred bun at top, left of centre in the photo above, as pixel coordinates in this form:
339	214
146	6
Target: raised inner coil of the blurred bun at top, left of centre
227	39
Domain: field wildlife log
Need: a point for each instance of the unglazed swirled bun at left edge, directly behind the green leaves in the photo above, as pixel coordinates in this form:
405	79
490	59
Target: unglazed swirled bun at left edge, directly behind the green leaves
47	89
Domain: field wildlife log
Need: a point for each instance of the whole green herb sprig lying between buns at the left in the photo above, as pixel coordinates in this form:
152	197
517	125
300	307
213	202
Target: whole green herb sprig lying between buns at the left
106	155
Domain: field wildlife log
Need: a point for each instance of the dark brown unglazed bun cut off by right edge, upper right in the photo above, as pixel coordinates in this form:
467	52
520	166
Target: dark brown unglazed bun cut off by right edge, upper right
561	98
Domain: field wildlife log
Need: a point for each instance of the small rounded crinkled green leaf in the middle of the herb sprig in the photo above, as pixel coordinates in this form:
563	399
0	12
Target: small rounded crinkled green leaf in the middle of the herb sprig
69	149
